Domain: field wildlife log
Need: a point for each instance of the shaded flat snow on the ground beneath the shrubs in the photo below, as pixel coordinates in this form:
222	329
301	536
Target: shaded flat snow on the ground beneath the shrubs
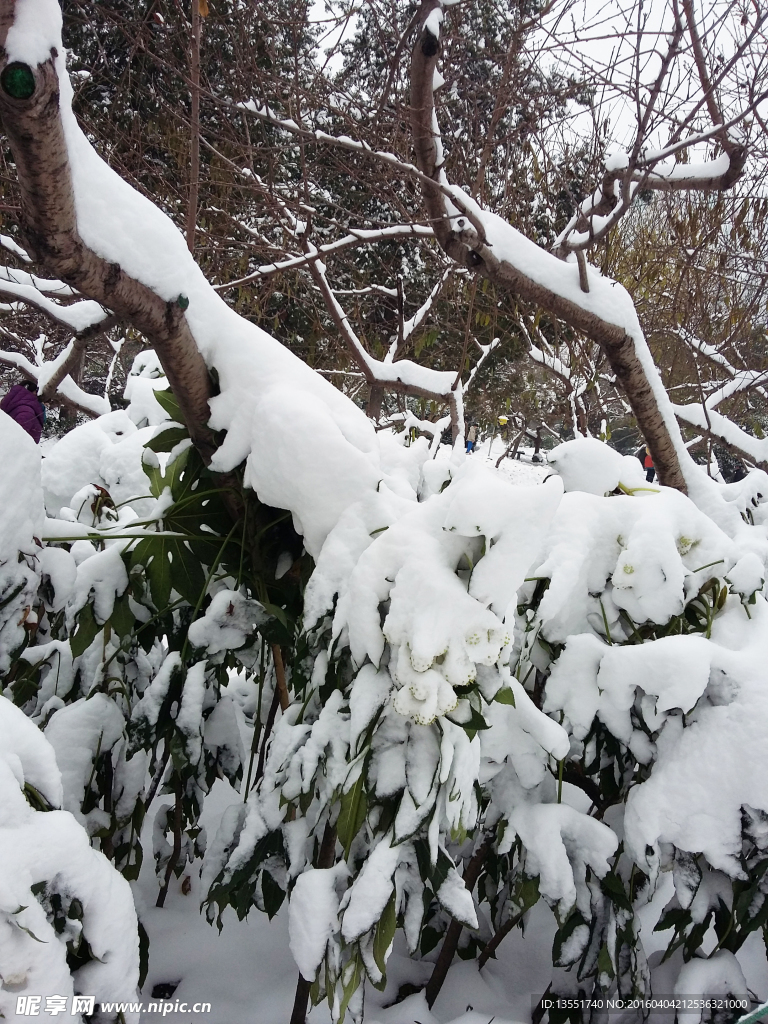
248	975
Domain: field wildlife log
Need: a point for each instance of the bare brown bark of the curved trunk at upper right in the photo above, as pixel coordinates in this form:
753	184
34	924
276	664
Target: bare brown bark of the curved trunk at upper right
470	249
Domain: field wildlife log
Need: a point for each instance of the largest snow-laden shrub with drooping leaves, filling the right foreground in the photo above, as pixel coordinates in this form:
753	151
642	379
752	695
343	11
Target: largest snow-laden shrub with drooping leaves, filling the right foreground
480	658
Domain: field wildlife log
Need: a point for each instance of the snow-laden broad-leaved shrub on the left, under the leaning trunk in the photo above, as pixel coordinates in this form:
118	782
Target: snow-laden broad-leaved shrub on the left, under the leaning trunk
121	632
